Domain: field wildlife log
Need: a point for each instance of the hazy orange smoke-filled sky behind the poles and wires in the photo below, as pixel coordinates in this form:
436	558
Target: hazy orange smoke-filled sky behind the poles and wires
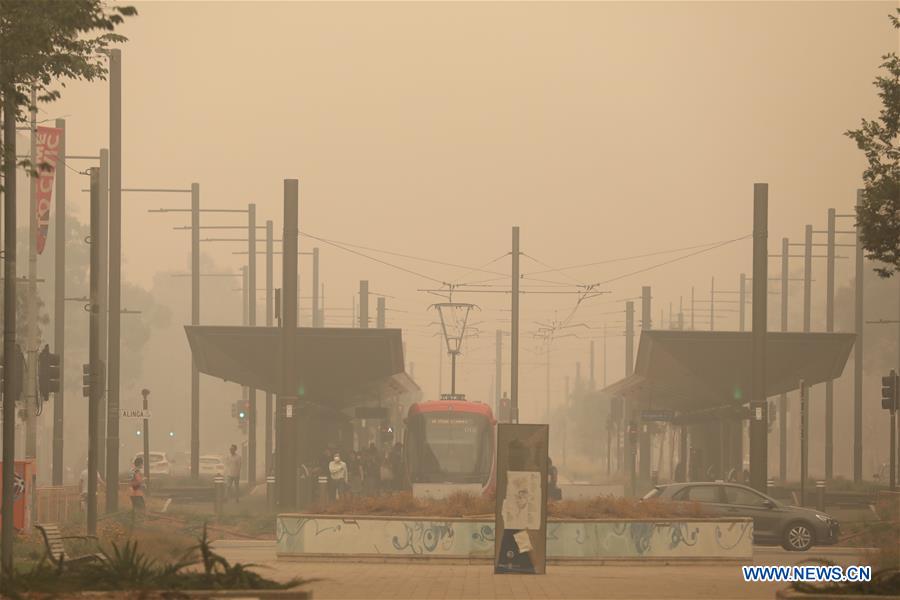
603	130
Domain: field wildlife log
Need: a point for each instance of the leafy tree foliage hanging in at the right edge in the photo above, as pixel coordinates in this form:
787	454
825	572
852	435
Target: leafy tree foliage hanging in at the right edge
879	214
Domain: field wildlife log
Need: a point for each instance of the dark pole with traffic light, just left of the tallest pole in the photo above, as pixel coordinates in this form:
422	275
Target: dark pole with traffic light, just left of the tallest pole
94	353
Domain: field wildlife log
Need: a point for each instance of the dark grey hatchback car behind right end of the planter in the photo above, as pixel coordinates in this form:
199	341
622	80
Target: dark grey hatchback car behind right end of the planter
793	527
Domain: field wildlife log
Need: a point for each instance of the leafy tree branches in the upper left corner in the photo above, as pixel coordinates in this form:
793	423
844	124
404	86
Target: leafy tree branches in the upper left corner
45	42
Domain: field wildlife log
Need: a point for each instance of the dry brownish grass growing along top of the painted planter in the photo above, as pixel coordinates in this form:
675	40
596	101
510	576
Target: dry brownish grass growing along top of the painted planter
466	505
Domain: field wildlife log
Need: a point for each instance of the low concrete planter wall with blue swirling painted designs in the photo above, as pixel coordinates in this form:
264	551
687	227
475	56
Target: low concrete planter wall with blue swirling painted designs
302	536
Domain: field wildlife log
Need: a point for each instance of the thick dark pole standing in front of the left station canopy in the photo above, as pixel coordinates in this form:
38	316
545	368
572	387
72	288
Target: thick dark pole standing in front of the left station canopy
286	434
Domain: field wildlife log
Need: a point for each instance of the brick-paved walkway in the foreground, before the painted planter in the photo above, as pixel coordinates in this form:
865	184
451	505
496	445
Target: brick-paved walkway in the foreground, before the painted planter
347	580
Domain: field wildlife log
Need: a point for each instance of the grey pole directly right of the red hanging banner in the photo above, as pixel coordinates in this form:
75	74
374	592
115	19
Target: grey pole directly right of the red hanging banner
59	307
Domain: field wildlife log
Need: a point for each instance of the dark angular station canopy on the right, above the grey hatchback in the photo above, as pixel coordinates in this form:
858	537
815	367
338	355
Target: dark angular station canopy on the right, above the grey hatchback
697	370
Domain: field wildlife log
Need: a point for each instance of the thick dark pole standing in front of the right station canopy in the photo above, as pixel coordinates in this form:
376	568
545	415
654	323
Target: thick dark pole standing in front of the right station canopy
758	405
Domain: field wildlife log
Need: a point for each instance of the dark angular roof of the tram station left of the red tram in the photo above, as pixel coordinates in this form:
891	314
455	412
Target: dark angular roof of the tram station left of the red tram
333	364
